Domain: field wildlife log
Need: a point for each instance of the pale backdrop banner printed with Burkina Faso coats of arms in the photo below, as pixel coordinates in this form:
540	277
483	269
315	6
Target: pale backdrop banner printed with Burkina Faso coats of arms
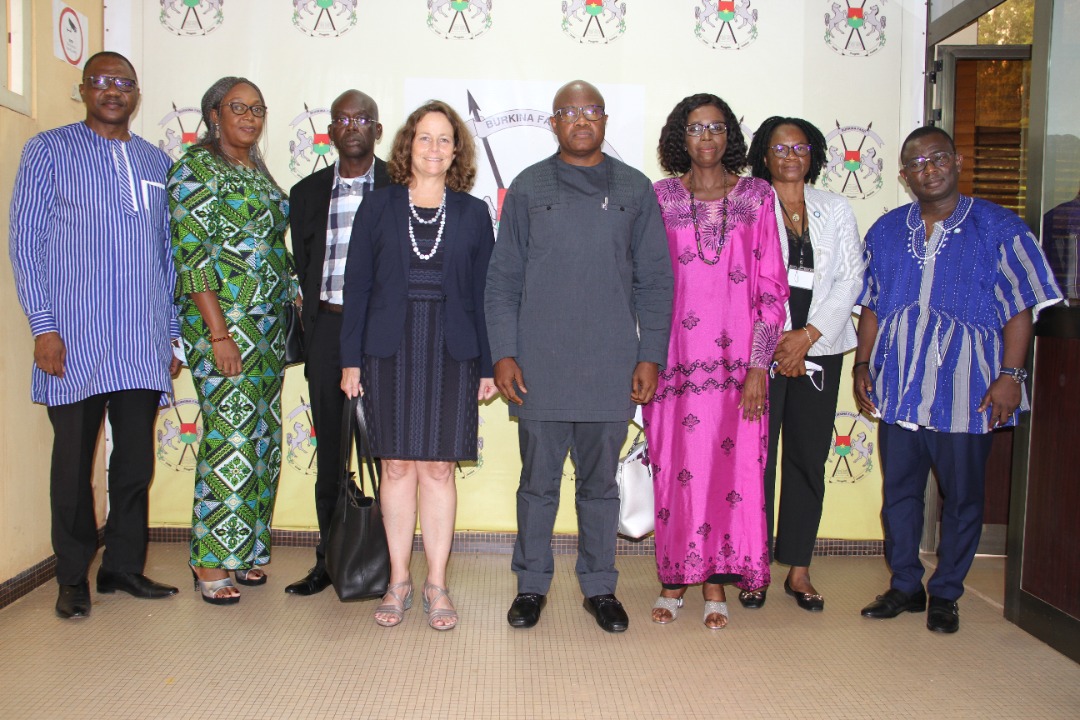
852	70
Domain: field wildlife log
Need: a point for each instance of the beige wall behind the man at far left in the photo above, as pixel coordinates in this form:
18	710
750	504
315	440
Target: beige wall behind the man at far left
25	433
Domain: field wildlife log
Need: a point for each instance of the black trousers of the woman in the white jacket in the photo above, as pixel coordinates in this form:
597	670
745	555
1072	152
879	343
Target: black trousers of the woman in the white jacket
804	410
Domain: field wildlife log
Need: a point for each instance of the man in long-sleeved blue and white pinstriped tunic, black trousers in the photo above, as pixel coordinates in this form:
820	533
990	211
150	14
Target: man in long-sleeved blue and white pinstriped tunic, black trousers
93	270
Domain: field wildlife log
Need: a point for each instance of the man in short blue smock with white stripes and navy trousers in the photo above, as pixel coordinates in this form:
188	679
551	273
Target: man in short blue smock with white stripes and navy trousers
949	301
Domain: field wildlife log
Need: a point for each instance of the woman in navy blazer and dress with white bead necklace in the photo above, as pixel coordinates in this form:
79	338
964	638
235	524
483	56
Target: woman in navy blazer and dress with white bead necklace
414	343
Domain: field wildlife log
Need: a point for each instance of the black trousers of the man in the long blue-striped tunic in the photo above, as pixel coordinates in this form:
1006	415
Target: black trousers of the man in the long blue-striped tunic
76	428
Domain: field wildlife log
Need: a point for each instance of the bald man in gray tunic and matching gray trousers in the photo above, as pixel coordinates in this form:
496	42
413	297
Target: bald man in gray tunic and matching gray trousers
579	296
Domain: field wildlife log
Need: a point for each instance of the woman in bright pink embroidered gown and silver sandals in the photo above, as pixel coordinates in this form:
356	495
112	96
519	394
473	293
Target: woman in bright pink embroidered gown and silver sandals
708	426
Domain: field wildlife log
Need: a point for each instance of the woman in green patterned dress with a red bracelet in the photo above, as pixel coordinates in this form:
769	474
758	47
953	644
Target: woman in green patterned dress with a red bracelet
235	276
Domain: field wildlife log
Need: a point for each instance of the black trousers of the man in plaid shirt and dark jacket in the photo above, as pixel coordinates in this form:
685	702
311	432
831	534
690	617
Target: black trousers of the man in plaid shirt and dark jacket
323	371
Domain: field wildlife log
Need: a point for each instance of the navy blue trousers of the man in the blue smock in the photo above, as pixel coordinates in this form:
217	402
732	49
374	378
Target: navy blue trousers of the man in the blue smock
961	461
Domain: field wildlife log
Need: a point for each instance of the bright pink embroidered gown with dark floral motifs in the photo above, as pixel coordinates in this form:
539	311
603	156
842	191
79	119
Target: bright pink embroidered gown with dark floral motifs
708	463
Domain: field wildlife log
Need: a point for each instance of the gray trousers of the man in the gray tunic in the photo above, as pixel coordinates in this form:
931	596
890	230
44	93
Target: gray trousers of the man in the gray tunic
595	450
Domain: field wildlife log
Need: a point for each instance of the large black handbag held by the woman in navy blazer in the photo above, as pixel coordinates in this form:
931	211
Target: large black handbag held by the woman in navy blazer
358	559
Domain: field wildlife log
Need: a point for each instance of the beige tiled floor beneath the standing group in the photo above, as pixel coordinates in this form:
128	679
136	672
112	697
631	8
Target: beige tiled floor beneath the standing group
280	657
